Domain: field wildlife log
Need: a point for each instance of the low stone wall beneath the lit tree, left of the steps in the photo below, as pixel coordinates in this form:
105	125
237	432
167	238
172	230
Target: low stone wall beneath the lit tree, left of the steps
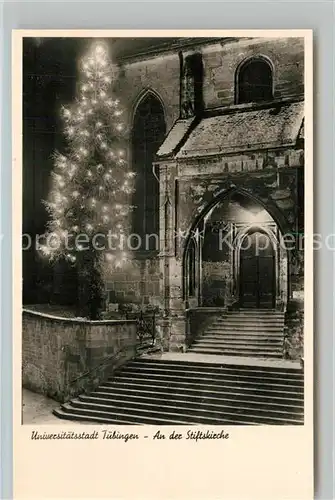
57	352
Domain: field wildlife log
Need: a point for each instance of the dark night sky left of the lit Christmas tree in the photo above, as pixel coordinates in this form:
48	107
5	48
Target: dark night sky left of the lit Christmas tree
49	79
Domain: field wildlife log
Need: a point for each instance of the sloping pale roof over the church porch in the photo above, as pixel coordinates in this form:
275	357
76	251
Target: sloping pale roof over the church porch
235	131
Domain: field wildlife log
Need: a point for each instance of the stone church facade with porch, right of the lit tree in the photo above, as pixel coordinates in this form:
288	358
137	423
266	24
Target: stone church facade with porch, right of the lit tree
216	138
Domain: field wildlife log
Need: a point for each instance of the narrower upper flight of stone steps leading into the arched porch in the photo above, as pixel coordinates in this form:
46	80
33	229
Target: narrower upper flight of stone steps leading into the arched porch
247	332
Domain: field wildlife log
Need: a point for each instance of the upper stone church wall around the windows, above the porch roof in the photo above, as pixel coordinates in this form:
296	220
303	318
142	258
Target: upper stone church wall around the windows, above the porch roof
161	73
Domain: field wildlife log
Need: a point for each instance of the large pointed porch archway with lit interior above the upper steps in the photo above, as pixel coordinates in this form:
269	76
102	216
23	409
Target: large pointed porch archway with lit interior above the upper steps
241	260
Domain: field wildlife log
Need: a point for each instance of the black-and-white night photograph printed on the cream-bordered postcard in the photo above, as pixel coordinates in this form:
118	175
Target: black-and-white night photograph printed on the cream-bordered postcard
163	231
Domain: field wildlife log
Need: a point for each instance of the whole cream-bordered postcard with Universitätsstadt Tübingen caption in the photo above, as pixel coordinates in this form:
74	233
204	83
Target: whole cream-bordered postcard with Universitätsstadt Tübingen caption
163	272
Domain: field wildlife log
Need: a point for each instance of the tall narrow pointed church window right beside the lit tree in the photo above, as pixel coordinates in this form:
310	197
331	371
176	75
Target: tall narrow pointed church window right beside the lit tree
148	134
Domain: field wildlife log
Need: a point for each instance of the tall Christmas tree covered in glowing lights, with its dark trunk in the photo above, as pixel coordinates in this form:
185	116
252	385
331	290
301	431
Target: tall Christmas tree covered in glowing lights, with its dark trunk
90	198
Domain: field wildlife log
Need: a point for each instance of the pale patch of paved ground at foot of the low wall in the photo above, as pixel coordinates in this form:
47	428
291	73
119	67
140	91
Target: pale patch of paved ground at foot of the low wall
37	409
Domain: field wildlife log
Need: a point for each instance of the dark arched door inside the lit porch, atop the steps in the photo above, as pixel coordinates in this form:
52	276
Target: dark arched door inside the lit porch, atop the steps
257	271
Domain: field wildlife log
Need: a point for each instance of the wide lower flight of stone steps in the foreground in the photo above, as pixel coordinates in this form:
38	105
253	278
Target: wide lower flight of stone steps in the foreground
169	392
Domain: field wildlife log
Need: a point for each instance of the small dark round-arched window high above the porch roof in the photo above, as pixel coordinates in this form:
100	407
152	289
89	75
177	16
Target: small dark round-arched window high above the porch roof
254	82
